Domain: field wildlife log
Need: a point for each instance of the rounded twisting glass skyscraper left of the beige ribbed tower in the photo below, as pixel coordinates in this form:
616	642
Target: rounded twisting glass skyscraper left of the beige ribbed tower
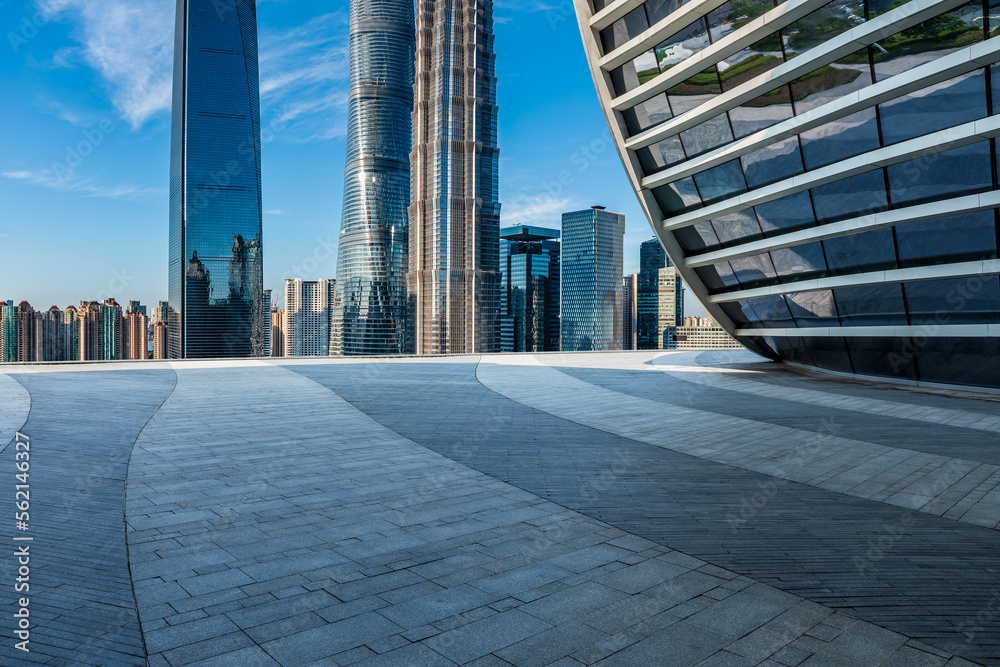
371	308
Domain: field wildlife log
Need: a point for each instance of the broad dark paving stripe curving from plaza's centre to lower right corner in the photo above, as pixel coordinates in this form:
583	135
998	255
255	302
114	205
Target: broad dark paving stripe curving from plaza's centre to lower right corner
930	580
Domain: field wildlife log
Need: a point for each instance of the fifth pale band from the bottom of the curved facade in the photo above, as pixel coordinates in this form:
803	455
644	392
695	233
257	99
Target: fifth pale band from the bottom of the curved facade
939	70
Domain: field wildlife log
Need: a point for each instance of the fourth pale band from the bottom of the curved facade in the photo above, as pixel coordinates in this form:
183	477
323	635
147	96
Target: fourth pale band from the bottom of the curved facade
924	146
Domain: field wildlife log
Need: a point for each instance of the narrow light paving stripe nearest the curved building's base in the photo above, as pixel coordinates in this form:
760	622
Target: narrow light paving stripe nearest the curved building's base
689	367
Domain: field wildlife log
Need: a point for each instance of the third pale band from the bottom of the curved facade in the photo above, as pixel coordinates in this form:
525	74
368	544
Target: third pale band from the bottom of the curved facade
865	223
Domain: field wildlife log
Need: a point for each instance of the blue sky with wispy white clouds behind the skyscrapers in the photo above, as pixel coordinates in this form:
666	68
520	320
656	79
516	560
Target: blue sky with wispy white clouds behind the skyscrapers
84	140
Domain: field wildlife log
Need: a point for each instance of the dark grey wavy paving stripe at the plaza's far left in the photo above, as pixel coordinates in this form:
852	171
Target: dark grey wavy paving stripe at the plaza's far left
82	426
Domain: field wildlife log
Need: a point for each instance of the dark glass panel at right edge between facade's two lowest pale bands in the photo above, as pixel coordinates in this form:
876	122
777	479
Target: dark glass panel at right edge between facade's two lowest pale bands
972	300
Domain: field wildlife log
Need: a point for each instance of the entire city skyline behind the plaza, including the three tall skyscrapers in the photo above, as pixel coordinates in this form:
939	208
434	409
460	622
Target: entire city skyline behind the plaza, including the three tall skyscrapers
423	265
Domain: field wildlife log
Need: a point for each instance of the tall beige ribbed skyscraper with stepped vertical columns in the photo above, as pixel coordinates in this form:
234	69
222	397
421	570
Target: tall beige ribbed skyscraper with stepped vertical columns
453	281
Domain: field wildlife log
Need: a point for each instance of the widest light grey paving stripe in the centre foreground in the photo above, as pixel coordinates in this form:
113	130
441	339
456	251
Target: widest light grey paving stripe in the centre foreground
271	522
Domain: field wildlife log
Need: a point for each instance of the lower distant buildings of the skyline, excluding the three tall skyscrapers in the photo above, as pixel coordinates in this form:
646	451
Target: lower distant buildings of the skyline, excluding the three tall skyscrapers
559	291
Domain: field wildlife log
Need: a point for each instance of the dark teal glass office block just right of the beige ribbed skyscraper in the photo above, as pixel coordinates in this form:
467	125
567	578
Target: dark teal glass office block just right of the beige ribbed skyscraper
529	289
